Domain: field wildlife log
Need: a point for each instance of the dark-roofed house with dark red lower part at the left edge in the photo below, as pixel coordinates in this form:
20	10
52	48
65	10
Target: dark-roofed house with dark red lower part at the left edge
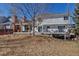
5	25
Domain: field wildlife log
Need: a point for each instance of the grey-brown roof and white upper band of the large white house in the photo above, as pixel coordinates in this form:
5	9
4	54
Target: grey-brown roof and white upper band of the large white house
52	19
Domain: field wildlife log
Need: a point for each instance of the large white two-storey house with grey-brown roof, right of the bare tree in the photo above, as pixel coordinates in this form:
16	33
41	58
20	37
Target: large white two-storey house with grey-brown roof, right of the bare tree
54	23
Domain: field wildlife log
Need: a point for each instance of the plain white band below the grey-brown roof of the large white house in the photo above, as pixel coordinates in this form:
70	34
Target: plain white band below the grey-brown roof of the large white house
54	21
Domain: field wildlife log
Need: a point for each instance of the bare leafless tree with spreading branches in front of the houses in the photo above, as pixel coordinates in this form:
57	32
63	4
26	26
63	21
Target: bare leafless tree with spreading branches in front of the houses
31	10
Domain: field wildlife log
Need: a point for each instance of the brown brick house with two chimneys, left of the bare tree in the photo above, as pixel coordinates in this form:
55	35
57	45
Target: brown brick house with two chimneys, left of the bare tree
21	25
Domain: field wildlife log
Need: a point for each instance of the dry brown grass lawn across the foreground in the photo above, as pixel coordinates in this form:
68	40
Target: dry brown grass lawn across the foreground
22	45
